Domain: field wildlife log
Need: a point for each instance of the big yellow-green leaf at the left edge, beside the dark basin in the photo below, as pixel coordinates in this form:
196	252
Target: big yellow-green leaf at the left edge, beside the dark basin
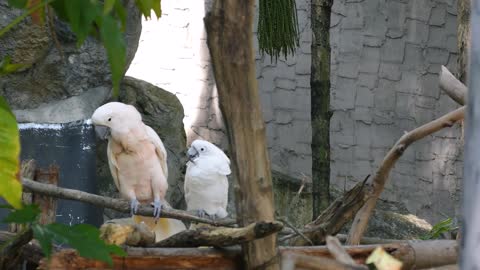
10	186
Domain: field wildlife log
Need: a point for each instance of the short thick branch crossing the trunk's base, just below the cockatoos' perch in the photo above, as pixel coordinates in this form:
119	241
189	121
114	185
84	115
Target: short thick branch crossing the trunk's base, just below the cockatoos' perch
221	237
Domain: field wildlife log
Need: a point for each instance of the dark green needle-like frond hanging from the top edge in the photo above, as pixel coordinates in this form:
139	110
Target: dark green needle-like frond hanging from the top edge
278	27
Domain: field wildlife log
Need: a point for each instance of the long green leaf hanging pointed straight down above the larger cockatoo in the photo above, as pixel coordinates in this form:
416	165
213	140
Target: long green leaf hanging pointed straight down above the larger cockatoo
114	43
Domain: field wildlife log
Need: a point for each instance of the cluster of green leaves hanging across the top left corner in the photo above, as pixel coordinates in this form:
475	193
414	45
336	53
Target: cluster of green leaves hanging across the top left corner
106	19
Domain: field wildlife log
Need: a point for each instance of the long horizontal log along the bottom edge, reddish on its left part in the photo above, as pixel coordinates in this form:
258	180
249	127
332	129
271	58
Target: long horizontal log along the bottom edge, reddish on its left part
413	254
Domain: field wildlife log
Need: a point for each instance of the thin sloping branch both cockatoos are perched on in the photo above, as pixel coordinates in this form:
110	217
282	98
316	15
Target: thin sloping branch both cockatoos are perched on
115	204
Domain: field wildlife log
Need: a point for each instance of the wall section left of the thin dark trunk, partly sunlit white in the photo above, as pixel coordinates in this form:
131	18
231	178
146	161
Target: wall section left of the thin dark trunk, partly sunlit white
173	54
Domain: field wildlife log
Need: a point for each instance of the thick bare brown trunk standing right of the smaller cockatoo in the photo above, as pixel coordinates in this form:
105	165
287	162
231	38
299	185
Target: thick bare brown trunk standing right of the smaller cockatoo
229	28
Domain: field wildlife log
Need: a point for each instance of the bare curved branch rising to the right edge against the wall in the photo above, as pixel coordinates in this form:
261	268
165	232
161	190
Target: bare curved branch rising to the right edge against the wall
361	219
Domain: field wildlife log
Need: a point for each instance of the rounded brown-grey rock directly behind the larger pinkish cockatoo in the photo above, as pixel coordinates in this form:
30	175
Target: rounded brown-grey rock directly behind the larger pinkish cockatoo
163	112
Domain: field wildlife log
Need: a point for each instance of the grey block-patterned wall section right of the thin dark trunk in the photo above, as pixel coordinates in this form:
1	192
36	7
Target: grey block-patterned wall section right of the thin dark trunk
386	55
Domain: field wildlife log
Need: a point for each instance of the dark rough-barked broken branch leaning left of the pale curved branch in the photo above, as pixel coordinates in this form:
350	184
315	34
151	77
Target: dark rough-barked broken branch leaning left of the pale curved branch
340	212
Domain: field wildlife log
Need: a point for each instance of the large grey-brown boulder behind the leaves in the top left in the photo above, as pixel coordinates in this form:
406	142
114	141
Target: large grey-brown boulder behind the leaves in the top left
56	72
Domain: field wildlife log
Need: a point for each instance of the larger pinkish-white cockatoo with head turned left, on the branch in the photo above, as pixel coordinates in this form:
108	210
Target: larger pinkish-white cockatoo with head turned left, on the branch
138	162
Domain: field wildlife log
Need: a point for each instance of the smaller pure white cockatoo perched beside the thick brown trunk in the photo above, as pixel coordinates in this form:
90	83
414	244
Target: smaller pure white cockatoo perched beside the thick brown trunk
206	183
